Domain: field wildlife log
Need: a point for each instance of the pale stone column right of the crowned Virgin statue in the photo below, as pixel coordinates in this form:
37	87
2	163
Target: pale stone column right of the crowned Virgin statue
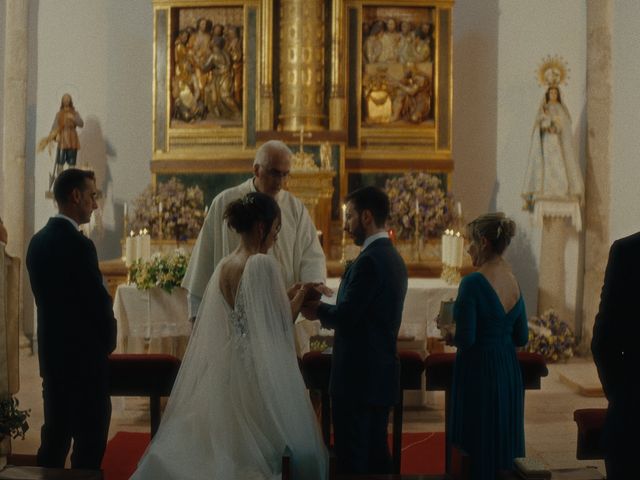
599	138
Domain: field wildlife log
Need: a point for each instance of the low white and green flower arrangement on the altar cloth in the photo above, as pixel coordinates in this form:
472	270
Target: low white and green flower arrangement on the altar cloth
164	271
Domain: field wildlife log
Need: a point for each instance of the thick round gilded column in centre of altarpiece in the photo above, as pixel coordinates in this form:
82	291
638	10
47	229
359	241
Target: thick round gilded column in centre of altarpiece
301	65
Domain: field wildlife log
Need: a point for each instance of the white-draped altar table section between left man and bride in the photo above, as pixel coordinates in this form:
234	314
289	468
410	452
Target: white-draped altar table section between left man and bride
151	321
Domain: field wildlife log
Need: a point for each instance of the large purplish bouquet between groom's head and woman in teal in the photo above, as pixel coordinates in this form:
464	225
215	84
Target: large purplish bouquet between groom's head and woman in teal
419	196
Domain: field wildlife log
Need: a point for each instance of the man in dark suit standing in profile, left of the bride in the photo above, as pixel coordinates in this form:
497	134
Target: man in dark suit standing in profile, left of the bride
76	328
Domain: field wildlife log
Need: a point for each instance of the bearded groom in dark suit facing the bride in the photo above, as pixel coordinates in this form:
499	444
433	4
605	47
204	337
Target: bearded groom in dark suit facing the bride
365	366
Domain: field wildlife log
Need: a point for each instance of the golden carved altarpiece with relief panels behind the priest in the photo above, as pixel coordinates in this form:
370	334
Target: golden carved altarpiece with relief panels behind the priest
360	90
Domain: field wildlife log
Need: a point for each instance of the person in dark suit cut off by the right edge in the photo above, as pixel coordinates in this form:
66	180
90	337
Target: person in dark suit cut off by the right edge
616	352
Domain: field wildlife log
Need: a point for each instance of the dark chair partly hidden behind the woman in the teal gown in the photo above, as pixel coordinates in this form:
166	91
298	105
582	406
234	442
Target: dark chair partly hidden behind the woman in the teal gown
439	376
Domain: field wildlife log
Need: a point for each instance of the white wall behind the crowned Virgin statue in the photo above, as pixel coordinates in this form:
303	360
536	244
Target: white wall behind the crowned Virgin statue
528	32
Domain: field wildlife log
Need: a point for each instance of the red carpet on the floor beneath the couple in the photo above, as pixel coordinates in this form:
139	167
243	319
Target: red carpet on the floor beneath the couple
421	453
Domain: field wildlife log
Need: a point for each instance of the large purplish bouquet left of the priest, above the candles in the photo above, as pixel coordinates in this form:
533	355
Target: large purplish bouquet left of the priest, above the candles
171	211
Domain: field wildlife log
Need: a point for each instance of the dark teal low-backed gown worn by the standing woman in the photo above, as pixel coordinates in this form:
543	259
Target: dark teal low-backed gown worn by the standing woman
487	412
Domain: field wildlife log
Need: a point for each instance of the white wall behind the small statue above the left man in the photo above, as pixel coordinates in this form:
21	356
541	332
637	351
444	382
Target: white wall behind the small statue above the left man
100	52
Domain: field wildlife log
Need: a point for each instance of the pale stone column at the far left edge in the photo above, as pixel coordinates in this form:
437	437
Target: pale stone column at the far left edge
14	123
